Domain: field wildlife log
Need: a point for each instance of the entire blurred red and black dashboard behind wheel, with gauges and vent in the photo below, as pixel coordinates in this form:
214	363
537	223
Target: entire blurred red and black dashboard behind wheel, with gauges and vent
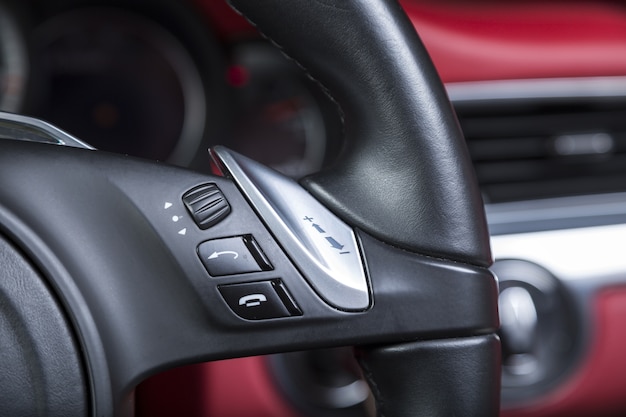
540	92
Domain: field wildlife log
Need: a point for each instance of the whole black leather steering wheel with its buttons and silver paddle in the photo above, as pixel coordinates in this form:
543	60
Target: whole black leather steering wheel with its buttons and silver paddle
114	268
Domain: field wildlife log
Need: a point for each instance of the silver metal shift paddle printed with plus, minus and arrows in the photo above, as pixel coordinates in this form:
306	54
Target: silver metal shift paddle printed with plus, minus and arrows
320	244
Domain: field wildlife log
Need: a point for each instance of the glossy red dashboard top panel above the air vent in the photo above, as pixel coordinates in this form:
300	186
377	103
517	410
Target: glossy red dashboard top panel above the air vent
507	40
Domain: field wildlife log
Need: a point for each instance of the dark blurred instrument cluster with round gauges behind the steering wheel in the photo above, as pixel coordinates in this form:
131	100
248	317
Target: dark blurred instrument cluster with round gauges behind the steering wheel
161	80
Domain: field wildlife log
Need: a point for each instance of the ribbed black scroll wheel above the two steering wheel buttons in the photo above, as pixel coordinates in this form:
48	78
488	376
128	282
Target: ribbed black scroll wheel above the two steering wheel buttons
207	205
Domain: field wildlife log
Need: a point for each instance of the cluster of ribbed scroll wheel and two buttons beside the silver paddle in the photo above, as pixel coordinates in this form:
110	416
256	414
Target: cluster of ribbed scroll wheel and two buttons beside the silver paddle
230	259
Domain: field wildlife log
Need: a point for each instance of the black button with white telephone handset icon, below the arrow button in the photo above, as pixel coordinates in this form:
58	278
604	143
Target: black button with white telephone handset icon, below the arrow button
256	300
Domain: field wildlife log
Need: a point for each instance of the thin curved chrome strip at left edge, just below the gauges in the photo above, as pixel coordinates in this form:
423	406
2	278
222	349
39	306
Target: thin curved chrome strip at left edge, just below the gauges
34	130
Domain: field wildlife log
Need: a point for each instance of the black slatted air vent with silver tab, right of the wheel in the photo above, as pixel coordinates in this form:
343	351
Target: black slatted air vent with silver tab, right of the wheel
546	147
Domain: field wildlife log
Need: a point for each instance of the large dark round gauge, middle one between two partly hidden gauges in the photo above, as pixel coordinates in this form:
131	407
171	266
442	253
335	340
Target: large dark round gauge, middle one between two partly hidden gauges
121	82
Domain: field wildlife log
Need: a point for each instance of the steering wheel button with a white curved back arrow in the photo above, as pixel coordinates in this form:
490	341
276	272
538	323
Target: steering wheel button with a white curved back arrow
233	255
